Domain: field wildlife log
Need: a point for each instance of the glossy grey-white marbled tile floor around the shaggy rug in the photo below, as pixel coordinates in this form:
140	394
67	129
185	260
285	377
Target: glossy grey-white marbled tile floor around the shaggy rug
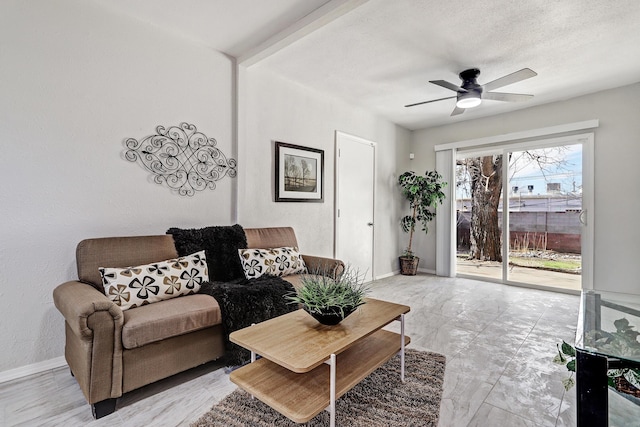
499	341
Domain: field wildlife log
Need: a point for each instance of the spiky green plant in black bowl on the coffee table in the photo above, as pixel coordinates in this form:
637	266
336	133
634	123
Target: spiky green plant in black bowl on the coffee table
330	300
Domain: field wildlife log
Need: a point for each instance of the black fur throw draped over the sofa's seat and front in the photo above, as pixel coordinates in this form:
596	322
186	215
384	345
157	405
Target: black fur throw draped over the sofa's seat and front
246	301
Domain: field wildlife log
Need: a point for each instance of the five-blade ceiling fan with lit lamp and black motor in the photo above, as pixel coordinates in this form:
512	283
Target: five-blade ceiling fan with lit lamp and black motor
470	94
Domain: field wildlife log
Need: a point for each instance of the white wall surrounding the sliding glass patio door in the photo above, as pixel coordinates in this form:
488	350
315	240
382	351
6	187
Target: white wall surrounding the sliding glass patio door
617	152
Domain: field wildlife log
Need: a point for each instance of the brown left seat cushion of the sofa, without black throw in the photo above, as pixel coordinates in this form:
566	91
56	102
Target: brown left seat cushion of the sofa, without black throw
166	319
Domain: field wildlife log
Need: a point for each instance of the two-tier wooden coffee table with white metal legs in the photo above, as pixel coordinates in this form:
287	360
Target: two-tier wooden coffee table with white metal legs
306	366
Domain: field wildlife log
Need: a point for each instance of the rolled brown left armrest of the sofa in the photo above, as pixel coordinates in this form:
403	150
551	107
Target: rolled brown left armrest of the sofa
77	301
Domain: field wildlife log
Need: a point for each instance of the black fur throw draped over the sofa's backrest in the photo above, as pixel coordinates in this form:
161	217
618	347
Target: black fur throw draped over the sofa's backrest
220	243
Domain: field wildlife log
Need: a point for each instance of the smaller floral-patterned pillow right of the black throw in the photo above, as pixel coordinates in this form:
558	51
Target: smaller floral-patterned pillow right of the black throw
274	262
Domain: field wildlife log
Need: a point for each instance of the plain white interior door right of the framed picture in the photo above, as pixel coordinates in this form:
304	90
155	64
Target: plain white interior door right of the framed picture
355	198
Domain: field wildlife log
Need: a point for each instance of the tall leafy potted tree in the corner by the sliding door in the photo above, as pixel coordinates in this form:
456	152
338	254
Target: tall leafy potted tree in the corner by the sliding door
423	193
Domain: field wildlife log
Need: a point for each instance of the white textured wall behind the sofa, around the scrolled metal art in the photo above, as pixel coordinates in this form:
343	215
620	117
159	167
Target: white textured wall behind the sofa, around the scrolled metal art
75	81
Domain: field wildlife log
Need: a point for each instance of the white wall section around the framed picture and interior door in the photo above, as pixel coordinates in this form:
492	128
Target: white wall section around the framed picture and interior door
273	109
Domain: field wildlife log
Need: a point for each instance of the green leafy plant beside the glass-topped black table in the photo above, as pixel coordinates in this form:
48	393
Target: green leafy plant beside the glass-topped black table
623	341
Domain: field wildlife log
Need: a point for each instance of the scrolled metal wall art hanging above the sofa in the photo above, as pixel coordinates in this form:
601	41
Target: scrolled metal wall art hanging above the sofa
182	158
